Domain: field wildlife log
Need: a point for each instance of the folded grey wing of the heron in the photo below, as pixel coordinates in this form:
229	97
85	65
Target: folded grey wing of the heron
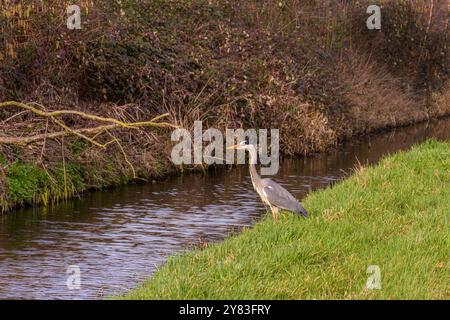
281	198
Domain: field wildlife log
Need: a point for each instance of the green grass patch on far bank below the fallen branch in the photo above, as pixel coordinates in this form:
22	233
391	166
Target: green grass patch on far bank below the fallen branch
27	183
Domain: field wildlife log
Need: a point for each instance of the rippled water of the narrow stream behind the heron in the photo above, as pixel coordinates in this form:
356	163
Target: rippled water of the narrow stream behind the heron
119	237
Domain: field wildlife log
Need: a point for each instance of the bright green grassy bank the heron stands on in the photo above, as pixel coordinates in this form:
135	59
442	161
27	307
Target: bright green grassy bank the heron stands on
393	215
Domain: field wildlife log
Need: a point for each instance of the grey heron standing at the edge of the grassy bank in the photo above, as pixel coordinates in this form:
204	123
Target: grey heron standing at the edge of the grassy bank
271	193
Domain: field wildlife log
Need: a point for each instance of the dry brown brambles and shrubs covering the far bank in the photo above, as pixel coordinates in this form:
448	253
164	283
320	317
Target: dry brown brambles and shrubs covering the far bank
310	68
